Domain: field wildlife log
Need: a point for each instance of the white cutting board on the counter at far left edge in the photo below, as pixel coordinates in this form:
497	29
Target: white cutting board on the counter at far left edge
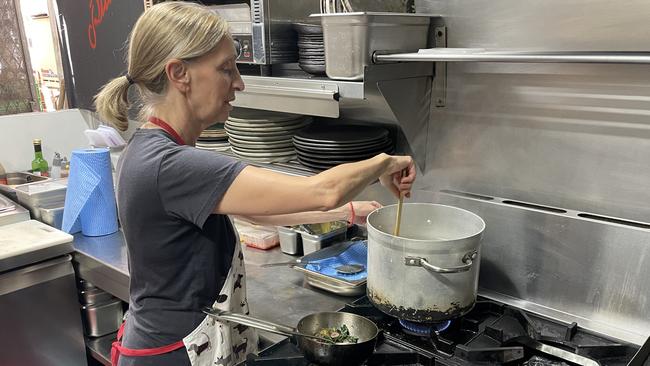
28	236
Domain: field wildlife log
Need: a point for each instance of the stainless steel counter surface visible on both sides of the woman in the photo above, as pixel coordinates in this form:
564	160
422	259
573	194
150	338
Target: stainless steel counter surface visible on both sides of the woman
277	294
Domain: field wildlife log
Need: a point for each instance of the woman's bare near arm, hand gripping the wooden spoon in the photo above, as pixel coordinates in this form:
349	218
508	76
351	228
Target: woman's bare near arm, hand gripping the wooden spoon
261	192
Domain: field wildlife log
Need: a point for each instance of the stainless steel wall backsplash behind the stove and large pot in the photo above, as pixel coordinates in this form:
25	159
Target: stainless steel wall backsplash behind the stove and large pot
576	137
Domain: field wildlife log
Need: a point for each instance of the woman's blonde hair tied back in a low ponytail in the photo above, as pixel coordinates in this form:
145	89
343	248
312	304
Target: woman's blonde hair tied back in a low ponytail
169	30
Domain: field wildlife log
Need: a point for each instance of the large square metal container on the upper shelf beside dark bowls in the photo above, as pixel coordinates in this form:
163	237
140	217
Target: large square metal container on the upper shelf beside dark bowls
351	38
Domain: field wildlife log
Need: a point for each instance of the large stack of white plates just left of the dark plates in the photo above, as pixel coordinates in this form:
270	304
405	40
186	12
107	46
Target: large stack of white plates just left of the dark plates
263	136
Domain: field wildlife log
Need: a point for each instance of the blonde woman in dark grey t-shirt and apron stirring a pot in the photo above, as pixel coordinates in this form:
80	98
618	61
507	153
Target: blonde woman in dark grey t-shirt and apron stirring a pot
174	199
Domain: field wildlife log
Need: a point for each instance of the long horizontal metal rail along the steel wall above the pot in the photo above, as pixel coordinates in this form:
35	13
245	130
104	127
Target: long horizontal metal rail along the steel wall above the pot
463	55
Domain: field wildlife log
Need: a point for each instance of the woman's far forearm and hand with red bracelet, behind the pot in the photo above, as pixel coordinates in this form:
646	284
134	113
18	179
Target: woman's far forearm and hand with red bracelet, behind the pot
361	210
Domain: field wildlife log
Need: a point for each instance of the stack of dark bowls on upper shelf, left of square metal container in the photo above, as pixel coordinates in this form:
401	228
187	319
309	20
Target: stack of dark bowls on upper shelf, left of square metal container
311	48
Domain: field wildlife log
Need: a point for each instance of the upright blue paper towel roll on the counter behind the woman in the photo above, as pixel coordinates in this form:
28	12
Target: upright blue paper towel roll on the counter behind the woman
90	199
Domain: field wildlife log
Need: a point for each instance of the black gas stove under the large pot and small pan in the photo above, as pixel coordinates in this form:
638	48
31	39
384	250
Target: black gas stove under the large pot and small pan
492	333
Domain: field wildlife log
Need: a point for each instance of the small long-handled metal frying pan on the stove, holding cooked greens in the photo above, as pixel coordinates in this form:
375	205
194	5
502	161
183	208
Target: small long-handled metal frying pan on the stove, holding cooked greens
315	350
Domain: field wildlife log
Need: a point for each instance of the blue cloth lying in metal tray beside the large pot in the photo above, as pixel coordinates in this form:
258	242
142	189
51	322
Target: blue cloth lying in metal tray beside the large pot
357	253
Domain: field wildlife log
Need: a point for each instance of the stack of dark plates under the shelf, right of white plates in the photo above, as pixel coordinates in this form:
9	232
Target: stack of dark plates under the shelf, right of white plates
323	145
